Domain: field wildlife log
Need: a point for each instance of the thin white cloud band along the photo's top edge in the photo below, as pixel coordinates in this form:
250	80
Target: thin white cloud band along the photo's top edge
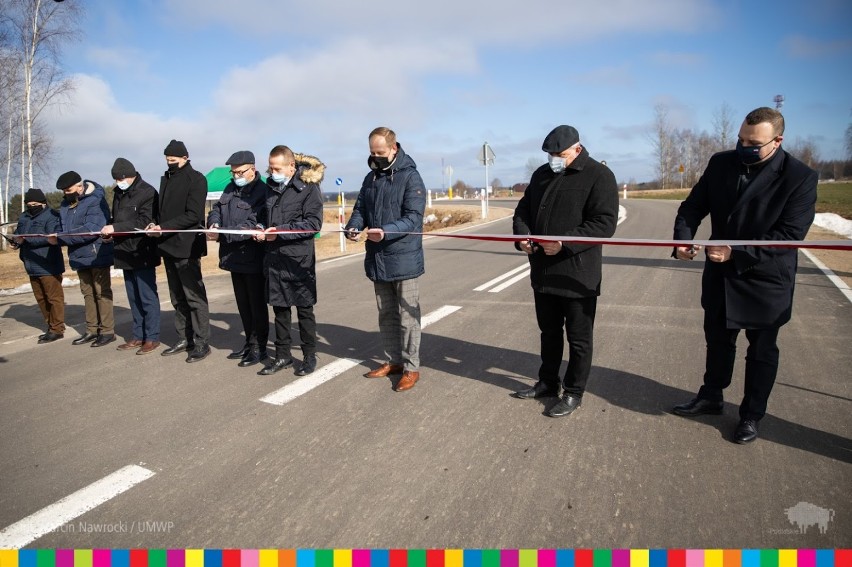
504	22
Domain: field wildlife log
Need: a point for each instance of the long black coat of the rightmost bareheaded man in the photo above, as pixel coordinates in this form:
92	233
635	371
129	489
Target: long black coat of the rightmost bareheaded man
756	286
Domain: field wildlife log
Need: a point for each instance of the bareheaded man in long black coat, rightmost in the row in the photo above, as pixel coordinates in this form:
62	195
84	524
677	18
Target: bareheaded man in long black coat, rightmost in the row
758	192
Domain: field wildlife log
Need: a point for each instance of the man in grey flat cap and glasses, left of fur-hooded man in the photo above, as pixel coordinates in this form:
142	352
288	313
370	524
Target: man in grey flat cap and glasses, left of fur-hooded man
241	207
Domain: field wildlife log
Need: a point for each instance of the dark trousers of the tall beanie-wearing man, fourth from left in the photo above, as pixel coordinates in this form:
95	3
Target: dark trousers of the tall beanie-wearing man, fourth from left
189	298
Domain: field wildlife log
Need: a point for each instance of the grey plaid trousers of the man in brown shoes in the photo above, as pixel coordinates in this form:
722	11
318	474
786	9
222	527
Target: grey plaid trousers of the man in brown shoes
399	321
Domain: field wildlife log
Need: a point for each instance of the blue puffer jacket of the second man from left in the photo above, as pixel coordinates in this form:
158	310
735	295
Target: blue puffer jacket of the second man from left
89	214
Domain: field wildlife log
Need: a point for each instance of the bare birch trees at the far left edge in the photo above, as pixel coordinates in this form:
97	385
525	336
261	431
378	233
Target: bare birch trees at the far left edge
32	33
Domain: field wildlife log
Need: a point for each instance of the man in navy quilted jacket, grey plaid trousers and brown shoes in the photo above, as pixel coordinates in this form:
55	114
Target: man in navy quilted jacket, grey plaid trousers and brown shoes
389	206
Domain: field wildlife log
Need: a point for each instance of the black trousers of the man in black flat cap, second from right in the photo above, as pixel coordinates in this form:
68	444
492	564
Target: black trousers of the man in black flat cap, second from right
576	319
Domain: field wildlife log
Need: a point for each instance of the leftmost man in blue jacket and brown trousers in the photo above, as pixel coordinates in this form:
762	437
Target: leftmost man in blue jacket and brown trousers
43	262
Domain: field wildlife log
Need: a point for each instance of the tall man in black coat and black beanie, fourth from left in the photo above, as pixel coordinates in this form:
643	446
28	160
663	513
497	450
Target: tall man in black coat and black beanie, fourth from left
183	191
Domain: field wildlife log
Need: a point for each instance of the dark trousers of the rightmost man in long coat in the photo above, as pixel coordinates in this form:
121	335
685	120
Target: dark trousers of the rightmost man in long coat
761	364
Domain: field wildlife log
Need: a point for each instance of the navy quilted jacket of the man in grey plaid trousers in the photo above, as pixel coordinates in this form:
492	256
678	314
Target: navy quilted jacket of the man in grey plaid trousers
393	200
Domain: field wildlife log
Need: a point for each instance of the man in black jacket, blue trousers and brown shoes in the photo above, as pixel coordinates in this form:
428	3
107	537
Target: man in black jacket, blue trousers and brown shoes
134	206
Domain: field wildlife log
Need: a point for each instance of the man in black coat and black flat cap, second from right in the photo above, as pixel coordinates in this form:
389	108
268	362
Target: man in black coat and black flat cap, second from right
572	195
